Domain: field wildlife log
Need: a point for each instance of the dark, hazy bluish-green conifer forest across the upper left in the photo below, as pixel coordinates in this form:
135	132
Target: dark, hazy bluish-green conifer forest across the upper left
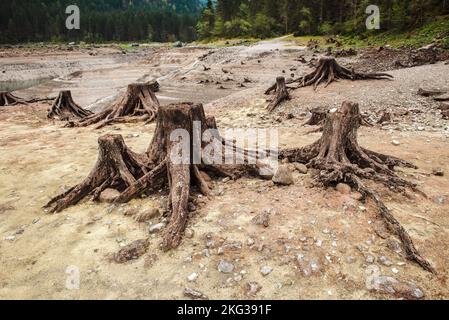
101	20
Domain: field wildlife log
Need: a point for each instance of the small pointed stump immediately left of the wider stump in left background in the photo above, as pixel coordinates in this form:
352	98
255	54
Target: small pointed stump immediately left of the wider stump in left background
65	109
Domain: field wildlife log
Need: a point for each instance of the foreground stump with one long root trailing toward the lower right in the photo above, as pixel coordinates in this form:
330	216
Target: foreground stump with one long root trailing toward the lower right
339	158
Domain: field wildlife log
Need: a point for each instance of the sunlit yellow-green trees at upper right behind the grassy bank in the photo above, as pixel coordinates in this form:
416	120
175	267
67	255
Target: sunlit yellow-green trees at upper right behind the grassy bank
267	18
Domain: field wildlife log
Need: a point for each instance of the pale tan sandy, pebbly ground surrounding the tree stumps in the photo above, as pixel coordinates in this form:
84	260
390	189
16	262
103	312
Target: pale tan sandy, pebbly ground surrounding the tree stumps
318	242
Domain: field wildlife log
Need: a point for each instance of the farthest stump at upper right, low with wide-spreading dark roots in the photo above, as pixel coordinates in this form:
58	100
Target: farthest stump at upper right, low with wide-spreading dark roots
328	71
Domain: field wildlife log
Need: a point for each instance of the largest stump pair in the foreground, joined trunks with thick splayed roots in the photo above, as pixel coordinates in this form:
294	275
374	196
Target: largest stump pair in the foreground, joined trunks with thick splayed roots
174	160
